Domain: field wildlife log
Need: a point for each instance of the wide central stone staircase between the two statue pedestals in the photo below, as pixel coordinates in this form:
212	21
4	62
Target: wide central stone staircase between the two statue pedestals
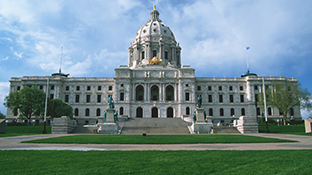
155	126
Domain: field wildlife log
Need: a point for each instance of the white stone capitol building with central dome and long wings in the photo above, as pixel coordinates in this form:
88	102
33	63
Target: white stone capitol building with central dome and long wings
155	84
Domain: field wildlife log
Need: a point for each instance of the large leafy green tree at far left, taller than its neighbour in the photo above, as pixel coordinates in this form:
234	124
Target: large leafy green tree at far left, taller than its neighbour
28	101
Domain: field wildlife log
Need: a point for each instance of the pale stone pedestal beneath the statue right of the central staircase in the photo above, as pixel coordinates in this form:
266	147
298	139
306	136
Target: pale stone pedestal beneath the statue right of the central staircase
201	126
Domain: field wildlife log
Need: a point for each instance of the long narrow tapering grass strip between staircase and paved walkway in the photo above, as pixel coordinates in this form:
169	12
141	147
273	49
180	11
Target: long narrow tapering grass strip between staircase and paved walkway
156	139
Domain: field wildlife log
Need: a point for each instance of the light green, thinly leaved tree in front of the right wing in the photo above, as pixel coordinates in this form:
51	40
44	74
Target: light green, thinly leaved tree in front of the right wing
286	95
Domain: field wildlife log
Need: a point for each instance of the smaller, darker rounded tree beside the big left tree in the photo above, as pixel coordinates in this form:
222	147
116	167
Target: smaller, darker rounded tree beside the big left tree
58	108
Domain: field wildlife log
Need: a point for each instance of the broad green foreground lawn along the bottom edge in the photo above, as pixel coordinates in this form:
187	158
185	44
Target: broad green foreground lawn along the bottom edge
156	162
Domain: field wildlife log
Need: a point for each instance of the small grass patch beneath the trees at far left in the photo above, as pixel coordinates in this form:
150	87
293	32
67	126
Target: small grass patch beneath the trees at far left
24	130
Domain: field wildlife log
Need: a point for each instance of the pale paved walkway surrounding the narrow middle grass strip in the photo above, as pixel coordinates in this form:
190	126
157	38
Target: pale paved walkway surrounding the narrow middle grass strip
13	143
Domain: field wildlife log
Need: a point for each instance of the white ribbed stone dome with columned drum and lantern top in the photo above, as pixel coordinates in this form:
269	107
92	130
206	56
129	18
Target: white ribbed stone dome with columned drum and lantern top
154	39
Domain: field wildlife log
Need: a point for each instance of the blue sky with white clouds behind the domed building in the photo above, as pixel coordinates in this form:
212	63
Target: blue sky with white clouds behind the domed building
213	34
